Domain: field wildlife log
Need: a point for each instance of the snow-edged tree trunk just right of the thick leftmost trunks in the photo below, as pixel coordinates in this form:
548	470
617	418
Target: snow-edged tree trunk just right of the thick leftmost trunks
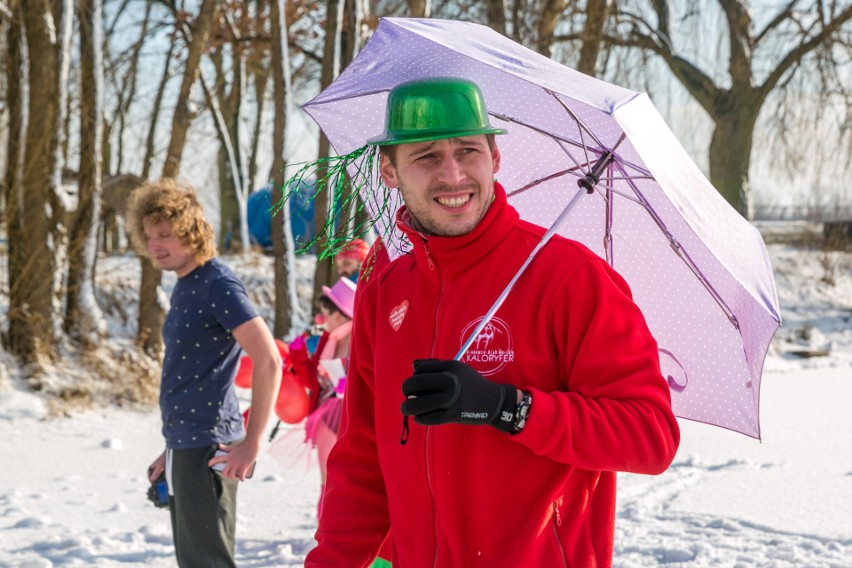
83	317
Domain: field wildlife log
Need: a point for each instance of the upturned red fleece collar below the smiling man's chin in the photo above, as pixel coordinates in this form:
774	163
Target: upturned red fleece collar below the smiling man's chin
456	254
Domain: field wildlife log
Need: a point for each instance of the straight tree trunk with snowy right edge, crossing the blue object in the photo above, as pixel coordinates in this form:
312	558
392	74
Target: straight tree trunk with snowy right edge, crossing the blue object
282	238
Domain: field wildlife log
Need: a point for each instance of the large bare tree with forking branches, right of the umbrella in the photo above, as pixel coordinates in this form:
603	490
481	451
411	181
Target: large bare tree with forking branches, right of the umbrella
758	62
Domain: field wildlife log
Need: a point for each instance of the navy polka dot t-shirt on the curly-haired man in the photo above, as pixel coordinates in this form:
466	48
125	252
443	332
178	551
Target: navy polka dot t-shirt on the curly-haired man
197	399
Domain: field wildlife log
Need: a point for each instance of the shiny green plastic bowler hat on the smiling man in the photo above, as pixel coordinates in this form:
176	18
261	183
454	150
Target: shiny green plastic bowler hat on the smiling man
432	109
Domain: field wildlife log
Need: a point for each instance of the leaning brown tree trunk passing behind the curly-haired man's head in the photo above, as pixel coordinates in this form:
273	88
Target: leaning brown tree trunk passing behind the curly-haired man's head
151	311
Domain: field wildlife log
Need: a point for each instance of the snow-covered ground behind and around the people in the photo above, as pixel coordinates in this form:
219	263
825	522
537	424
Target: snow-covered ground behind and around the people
72	491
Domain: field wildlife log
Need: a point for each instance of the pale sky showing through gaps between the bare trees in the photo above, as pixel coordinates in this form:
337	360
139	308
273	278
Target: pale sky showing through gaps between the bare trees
775	178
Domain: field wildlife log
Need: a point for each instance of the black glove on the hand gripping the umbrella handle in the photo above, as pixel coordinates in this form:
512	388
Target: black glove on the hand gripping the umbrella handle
442	391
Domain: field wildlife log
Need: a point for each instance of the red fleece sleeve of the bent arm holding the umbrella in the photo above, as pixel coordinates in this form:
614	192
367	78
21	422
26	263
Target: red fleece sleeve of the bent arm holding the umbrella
615	414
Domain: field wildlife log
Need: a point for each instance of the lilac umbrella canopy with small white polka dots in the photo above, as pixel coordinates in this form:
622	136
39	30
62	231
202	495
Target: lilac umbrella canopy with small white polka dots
697	269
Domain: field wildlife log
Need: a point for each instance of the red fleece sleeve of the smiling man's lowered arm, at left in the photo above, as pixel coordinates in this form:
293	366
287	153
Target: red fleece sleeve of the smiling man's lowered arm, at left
355	517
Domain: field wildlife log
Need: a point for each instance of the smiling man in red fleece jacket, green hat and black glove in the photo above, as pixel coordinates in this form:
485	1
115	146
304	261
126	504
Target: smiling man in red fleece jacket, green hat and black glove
509	456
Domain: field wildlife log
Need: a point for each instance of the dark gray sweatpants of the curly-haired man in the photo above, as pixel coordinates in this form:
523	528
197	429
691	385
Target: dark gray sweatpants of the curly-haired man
203	507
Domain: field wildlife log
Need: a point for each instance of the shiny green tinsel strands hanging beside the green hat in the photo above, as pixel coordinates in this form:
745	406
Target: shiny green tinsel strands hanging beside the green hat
349	180
